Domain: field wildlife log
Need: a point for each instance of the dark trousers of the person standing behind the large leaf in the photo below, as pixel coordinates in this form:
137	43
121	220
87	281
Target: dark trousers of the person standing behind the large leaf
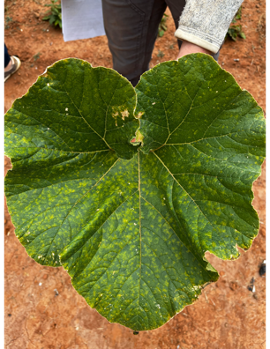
132	27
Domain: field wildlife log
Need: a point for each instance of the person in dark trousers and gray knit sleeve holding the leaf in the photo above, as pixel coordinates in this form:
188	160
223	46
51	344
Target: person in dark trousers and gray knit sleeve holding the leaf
131	27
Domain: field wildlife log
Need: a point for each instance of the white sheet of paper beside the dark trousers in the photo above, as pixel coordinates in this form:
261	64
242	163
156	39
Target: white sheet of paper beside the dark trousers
81	19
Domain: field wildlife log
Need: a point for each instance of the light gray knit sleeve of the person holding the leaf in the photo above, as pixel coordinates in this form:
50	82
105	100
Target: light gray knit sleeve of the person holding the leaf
205	22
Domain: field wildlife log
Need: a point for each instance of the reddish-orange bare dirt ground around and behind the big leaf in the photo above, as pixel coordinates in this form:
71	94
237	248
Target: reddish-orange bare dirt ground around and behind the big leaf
41	308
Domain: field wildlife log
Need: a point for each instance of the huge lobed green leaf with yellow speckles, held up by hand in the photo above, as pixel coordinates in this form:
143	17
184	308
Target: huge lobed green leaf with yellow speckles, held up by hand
131	224
